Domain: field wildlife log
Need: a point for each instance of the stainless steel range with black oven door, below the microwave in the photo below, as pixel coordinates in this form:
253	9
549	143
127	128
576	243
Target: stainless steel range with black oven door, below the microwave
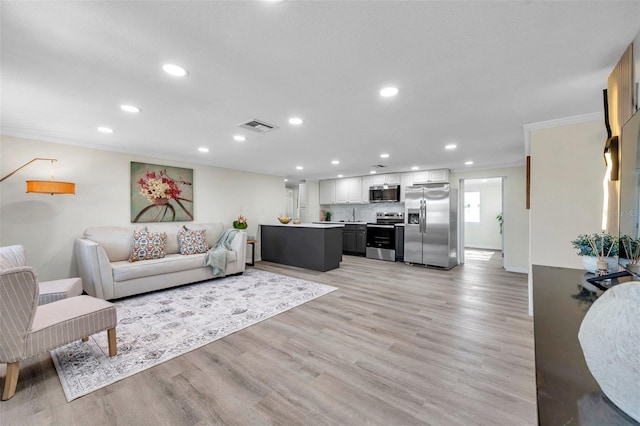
381	236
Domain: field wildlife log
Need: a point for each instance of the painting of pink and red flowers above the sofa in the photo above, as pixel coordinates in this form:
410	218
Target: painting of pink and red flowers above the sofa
161	193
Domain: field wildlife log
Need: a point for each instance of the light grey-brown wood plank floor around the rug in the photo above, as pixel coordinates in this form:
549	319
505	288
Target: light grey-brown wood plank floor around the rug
394	345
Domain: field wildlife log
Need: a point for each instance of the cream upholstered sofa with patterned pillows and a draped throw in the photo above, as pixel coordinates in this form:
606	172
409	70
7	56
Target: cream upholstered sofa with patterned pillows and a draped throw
103	256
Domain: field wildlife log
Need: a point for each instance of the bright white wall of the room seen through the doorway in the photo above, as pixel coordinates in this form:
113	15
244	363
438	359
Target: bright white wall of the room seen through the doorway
486	233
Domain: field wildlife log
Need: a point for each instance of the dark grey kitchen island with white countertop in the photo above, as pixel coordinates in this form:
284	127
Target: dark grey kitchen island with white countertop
307	245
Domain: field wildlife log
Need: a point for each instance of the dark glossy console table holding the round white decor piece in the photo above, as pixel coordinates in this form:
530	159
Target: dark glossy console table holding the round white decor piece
567	393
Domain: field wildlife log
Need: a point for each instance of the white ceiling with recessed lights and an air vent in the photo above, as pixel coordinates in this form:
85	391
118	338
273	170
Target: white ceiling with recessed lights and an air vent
469	73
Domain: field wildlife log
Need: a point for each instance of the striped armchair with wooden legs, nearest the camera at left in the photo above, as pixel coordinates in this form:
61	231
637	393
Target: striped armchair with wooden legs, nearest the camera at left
27	329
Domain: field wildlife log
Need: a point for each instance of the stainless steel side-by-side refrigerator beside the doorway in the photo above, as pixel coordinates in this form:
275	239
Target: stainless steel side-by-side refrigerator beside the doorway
430	231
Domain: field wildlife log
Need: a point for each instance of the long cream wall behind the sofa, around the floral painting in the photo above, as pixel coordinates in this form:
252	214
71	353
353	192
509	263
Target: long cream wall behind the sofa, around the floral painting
47	225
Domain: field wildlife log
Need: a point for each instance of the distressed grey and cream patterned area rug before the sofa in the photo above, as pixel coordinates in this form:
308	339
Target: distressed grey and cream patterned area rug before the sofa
159	326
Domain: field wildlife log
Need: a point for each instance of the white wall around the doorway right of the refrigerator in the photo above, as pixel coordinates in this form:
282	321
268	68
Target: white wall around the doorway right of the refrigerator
516	215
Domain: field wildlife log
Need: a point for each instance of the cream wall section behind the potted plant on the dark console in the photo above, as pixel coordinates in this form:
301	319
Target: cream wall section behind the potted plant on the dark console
567	171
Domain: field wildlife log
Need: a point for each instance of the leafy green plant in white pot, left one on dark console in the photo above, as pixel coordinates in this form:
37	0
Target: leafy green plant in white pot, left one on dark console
599	247
